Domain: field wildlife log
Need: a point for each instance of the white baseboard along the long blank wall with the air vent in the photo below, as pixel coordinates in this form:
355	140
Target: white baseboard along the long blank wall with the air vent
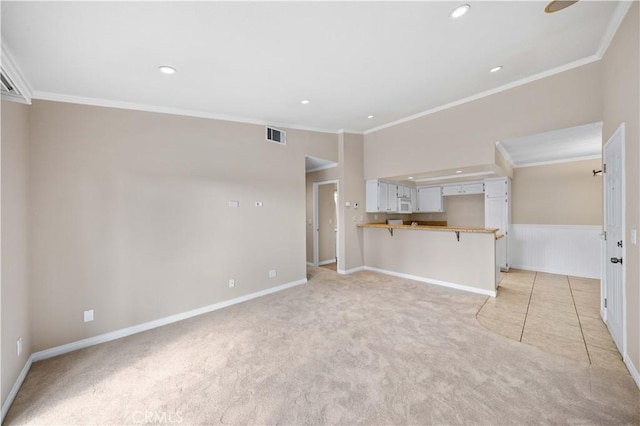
102	338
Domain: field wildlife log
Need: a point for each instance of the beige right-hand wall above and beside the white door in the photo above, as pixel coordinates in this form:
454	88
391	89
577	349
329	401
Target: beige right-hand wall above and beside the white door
621	87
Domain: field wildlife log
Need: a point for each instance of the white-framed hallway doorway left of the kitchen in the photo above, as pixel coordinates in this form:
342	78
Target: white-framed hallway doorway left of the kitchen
325	223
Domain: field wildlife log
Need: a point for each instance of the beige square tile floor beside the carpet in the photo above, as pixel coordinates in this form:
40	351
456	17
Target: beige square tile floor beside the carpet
557	313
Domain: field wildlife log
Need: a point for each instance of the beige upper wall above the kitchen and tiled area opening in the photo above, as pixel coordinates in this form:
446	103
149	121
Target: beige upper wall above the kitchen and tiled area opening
465	135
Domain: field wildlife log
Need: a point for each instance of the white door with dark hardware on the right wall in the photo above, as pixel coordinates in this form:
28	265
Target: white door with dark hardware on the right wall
614	228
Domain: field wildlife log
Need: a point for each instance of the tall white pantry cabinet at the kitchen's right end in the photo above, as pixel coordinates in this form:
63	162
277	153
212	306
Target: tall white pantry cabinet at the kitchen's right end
497	214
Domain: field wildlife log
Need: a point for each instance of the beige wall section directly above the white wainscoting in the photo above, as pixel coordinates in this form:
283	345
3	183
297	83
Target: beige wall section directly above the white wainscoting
557	194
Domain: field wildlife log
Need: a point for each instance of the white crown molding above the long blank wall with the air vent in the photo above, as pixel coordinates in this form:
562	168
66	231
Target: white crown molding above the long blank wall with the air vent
57	97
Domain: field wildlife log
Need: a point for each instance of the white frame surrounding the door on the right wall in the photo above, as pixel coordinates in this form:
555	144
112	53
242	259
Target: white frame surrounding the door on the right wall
620	132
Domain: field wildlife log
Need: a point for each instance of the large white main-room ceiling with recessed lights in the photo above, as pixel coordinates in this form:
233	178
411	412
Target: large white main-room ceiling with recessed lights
256	61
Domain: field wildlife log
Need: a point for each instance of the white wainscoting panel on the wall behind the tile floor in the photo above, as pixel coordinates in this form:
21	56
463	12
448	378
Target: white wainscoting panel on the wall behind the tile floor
558	249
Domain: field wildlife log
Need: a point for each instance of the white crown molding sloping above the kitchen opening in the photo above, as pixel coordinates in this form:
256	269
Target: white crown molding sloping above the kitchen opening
521	82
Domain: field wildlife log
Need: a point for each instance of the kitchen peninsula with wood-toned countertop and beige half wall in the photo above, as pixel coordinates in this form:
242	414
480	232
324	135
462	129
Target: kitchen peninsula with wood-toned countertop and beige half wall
457	257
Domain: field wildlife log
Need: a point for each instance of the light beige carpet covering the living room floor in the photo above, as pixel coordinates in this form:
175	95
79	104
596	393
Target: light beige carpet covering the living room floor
359	349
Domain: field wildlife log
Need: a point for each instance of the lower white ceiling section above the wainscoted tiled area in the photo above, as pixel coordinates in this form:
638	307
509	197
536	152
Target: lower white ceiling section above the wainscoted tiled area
562	145
